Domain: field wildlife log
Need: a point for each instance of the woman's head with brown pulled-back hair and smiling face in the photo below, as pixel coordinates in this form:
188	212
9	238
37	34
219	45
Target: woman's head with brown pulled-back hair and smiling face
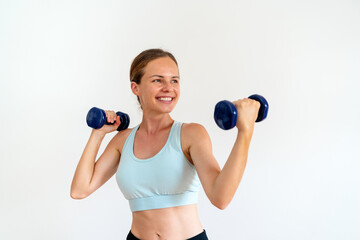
154	75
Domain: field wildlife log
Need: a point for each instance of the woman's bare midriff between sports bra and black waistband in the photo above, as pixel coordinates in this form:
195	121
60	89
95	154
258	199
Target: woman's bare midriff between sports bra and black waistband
175	223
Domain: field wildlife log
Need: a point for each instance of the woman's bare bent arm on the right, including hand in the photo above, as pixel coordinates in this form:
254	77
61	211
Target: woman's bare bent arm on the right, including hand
220	185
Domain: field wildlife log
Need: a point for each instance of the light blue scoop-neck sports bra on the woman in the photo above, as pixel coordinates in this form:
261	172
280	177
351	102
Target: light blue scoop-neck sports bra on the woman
165	180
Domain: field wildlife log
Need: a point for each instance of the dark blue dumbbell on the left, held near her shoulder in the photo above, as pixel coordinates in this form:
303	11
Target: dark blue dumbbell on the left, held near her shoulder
96	118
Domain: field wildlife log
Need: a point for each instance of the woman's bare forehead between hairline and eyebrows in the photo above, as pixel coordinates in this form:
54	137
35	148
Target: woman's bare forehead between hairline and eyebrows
161	66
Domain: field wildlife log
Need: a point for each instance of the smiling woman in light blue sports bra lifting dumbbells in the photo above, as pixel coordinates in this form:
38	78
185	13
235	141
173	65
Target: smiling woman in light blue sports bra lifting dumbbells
161	163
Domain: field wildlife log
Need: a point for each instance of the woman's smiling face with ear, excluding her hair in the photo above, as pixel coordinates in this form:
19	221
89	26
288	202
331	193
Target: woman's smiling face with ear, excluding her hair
159	89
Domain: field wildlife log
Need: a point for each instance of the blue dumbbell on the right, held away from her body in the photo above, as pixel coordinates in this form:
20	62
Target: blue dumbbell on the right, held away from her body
225	113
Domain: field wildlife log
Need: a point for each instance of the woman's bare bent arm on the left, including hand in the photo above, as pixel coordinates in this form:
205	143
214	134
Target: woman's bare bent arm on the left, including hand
90	175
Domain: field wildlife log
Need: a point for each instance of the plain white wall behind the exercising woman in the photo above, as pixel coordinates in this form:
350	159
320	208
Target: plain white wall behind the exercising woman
60	58
